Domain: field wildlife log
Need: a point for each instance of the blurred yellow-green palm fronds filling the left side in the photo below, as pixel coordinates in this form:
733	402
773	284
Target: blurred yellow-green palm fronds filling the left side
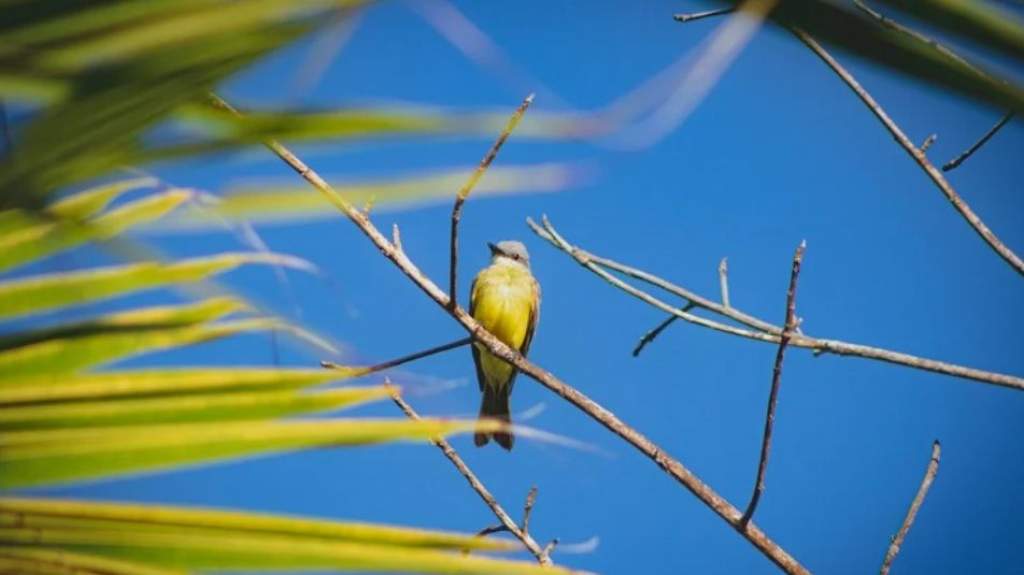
110	85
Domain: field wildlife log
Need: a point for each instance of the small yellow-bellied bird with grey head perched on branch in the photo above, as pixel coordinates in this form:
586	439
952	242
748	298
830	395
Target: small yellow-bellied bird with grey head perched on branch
506	301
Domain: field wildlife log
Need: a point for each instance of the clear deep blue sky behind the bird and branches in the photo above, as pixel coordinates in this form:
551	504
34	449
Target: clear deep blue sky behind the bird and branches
781	152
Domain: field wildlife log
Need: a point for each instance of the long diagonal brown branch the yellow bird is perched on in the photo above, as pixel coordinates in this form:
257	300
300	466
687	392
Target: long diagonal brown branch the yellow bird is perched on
675	469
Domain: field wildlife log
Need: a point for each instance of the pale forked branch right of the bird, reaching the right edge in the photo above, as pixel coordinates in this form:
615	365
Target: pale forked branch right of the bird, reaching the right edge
770	334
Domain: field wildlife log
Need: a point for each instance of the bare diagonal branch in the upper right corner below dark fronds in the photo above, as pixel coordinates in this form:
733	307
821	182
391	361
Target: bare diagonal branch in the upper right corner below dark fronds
922	160
